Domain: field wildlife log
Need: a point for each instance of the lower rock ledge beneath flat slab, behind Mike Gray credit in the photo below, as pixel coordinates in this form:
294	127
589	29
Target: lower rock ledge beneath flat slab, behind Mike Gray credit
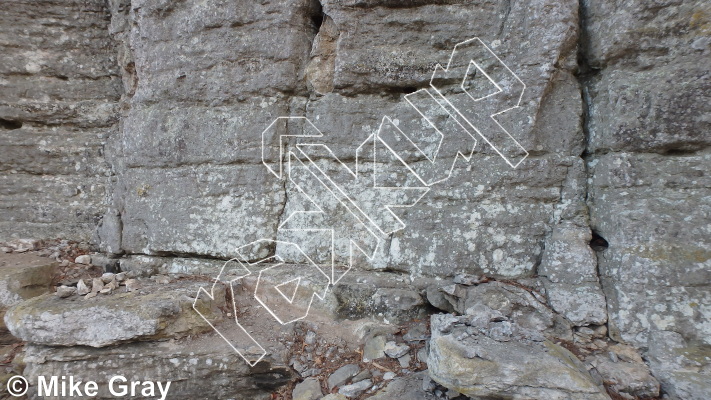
202	368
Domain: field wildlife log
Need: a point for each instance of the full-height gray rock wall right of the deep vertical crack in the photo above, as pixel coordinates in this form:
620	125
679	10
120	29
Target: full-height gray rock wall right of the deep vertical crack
648	128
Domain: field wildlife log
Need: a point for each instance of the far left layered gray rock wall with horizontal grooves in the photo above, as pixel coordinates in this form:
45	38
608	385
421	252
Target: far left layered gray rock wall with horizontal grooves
59	91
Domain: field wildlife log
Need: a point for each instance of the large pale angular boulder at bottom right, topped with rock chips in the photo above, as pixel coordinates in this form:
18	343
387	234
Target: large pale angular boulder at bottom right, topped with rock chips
486	356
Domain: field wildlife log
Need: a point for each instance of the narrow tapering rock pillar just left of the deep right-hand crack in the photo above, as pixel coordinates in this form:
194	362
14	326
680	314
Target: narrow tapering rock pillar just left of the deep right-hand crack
568	266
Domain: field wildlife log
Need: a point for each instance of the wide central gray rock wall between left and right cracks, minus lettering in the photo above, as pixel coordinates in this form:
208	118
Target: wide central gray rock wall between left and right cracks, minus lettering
188	154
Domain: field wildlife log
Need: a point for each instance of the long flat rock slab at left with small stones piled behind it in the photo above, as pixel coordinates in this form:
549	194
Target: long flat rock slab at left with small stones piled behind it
154	312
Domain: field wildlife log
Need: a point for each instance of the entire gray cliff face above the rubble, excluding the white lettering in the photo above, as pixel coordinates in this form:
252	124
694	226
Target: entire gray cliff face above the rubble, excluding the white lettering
137	125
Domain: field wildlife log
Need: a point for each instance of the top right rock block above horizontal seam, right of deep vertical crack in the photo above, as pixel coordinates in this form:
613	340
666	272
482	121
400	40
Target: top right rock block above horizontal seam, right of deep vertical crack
651	75
